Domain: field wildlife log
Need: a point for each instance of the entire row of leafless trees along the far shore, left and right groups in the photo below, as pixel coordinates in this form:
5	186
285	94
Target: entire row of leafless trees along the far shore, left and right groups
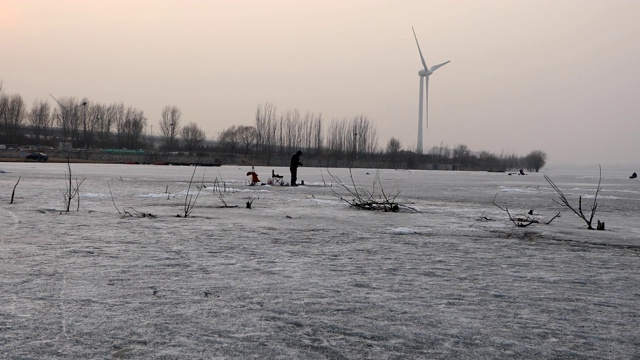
270	140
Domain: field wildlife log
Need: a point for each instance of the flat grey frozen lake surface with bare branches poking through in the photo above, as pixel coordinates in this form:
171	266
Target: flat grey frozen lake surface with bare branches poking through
301	275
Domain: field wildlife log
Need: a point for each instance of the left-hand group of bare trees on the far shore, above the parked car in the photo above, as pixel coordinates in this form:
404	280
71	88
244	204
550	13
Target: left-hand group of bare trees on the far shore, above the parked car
87	124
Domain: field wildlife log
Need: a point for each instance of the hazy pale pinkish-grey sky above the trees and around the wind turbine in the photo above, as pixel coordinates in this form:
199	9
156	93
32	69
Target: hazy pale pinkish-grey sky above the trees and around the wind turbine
561	76
